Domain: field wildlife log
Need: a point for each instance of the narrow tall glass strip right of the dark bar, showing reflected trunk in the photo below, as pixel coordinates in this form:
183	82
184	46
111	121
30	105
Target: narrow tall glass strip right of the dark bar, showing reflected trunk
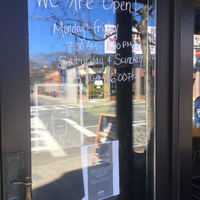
144	102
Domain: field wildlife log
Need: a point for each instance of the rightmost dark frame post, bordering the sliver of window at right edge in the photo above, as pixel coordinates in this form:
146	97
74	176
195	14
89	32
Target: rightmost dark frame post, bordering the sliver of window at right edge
182	99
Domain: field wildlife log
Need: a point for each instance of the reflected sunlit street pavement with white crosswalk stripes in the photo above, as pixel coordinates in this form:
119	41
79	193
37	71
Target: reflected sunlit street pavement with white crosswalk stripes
58	132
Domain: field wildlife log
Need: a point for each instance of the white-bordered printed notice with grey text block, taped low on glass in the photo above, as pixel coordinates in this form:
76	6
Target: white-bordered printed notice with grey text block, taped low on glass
100	176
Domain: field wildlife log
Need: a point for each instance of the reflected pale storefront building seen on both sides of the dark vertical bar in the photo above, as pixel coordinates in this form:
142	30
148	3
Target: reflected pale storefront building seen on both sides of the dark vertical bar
98	75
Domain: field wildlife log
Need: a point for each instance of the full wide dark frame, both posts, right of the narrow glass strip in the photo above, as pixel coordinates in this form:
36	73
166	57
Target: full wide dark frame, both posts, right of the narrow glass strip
175	29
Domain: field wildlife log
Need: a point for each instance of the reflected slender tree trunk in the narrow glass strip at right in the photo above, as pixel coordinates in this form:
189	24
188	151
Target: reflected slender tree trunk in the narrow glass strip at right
142	30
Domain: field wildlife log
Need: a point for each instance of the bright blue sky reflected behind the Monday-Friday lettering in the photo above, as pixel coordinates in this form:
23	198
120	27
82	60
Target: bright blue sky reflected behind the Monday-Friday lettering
46	37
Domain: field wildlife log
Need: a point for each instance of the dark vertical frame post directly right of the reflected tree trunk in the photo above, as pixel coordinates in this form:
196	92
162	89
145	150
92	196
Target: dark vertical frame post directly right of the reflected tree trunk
163	61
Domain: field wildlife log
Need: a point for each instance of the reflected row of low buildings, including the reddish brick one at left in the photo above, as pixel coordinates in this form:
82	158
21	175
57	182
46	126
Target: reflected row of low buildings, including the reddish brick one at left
97	74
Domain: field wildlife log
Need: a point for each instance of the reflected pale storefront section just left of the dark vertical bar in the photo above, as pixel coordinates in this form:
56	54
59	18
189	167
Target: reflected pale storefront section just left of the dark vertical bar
93	72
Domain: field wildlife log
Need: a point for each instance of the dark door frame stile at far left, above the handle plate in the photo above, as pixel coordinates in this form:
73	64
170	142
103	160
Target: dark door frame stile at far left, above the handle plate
14	83
